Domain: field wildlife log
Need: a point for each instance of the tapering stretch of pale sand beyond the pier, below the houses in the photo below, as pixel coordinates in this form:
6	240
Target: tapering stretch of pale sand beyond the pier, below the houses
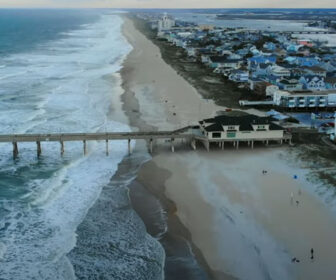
166	100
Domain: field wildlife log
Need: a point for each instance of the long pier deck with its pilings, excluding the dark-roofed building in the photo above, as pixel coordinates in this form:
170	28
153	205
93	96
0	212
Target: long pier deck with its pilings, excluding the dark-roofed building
190	134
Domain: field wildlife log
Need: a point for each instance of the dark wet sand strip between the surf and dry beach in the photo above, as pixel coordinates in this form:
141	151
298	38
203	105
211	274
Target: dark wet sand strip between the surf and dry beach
176	238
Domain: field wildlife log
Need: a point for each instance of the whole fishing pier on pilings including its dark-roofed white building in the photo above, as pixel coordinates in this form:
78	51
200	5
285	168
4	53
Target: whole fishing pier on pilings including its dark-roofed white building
220	130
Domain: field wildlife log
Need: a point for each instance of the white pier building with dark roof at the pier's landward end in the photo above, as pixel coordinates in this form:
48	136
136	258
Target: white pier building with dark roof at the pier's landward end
248	128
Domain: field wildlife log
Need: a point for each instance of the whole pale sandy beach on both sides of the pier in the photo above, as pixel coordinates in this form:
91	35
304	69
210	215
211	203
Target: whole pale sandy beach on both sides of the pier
242	224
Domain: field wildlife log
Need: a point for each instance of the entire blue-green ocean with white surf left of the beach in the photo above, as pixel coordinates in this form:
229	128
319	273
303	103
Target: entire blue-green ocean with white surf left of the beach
59	72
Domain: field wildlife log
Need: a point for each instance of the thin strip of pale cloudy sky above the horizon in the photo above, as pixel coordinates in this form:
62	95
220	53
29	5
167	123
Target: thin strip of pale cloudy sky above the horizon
167	3
